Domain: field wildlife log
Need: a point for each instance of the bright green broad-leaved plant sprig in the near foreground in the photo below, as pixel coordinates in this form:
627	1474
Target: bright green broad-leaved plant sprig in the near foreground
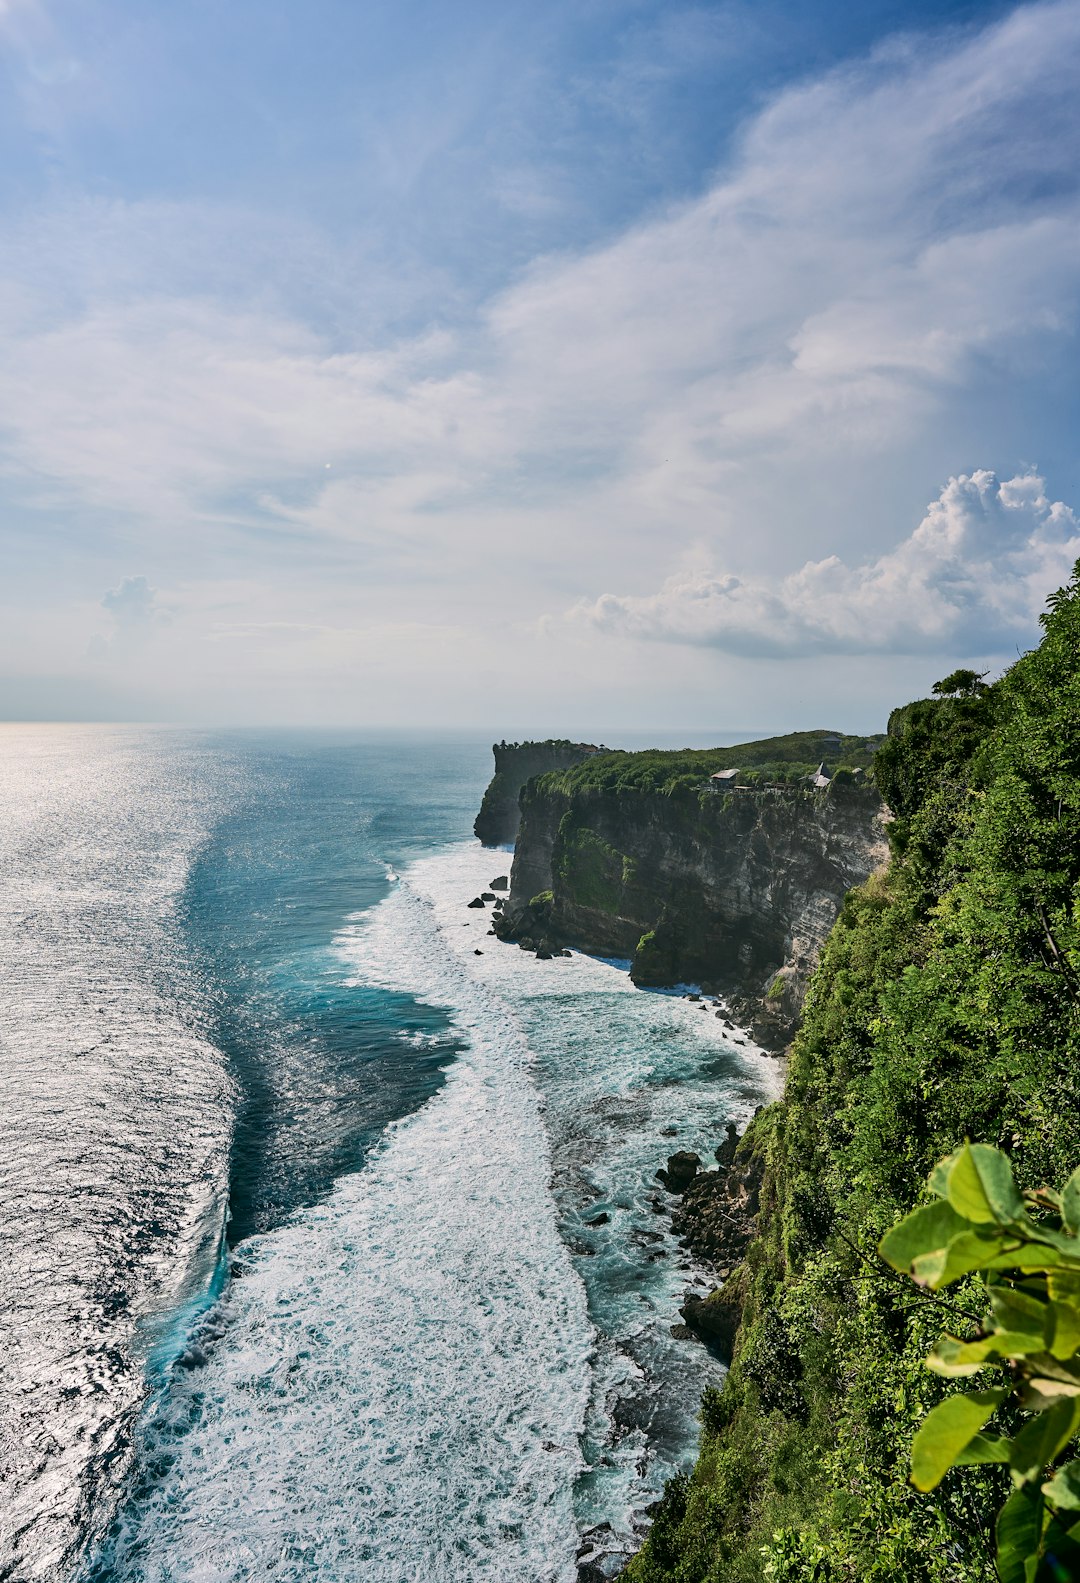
1027	1250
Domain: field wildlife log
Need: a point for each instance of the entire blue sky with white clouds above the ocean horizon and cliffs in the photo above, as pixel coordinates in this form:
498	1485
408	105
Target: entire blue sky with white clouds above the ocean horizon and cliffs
585	368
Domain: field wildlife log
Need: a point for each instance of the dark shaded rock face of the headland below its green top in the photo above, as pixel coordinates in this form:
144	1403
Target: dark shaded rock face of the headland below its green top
736	890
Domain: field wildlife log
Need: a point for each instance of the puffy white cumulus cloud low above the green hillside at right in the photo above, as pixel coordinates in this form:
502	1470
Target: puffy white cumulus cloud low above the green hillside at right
970	580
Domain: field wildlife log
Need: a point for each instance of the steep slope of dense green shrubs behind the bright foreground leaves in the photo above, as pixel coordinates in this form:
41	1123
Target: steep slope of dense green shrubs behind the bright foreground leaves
946	1008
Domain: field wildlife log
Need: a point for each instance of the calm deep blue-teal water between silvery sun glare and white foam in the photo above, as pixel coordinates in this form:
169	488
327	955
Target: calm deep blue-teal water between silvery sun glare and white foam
322	1071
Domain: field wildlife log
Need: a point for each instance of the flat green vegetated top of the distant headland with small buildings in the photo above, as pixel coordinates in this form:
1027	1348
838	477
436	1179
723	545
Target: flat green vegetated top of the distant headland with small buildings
772	759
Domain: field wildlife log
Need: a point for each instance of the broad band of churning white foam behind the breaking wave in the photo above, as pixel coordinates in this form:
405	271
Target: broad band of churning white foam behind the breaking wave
405	1372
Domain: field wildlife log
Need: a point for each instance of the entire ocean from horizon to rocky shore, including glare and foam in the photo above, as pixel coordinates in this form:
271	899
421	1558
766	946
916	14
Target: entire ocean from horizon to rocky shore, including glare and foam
330	1242
